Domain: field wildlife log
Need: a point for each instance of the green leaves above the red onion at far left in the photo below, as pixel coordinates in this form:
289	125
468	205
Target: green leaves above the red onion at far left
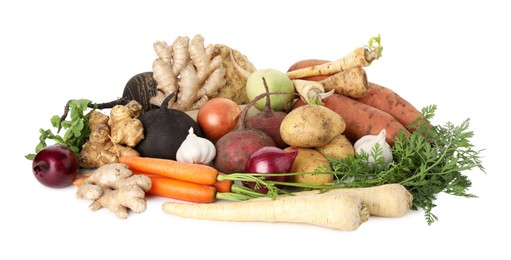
77	129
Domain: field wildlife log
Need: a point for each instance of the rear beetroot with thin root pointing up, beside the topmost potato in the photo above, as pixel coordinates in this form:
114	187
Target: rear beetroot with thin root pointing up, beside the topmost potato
268	121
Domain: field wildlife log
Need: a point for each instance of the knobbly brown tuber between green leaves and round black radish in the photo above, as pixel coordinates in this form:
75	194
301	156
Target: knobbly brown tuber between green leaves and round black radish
112	137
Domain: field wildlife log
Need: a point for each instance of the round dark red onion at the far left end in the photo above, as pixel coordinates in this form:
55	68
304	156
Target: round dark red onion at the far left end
55	166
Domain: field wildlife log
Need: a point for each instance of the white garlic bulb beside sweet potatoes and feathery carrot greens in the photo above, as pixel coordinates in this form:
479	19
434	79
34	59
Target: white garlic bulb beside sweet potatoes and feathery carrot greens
368	142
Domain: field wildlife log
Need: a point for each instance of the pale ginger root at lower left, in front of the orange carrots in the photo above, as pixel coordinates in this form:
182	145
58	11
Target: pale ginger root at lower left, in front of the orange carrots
114	186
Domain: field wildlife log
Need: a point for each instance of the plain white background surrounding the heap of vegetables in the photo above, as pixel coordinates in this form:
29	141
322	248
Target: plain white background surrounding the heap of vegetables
454	55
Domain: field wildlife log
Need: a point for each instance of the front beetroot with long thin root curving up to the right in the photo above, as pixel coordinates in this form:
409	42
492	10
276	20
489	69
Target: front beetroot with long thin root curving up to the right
234	148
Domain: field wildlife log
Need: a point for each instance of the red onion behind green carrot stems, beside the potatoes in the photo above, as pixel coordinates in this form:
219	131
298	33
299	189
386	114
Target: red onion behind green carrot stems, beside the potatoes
269	159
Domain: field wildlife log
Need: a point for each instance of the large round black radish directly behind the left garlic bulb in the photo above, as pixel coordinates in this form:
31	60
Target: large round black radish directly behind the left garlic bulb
164	130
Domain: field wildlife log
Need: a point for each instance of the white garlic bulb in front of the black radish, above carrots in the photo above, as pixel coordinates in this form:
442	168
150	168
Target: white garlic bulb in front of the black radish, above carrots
196	149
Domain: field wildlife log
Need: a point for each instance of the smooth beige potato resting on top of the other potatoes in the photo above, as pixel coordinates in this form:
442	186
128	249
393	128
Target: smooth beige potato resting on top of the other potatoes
311	126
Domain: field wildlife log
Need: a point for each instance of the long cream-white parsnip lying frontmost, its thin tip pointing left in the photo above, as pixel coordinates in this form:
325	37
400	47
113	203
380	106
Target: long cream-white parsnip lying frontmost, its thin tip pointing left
338	211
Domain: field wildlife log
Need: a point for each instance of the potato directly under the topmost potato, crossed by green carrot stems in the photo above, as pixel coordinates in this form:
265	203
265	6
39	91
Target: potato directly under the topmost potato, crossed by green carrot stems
310	160
